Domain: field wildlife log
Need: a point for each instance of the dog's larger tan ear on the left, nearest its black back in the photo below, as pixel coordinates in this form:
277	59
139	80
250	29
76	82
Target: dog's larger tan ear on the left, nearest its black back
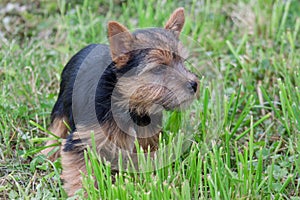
120	40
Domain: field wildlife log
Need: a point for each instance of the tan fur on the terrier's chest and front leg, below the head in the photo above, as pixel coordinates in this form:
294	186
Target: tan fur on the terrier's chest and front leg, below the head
108	147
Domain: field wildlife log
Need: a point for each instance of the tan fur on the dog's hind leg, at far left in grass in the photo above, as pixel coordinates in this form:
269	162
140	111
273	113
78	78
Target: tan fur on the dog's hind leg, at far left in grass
59	129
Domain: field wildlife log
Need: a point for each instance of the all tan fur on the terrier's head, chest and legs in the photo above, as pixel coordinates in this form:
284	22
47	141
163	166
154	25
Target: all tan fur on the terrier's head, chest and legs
145	93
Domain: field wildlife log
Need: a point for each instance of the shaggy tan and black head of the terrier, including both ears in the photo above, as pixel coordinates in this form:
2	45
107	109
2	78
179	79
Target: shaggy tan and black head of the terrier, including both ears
150	66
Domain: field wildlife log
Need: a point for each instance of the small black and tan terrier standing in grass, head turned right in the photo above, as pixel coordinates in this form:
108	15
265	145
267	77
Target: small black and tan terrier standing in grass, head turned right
144	74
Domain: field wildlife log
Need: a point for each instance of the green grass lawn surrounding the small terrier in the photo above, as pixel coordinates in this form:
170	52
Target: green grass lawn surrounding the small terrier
245	126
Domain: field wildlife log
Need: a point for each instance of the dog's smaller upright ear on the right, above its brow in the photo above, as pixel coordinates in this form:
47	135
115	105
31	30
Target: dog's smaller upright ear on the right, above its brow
176	21
